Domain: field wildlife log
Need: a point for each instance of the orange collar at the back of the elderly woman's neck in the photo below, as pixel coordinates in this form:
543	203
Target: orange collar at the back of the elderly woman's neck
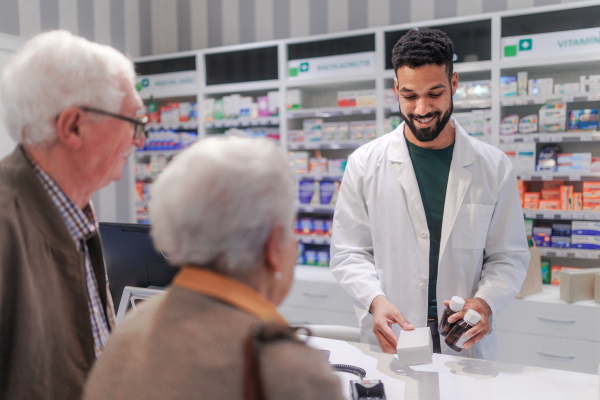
228	290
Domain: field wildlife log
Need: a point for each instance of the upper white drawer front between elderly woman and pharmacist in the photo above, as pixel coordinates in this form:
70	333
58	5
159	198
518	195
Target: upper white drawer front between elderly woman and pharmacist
319	295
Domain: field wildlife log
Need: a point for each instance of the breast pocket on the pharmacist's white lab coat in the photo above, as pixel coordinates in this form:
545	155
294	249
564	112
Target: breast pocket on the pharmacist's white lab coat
471	226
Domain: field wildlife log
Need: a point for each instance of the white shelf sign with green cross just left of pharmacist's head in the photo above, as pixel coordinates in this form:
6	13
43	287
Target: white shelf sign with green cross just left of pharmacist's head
333	65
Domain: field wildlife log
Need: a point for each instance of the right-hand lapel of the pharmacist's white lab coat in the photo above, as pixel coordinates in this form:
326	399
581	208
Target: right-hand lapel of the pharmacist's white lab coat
458	182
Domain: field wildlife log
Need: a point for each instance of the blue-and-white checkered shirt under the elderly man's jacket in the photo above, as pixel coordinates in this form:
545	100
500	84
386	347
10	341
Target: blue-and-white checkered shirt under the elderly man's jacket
82	225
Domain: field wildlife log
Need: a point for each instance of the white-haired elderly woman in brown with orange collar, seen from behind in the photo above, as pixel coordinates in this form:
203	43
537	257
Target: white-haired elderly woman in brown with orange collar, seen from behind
224	211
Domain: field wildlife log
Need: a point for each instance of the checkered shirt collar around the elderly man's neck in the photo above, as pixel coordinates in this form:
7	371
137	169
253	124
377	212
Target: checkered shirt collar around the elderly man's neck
81	223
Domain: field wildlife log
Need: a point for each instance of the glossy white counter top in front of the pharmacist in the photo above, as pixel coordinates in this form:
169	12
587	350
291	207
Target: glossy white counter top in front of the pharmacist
450	377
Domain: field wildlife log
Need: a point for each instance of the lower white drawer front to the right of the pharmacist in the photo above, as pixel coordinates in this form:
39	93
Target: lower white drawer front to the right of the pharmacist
548	352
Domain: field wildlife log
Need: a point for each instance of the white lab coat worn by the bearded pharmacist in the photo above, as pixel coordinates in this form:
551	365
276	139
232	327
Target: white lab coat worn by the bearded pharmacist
380	243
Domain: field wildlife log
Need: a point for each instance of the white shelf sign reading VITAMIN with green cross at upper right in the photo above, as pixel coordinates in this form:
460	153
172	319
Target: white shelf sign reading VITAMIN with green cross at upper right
555	43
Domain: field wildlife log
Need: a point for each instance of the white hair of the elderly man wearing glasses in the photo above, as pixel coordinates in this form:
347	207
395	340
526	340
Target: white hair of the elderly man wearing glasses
57	70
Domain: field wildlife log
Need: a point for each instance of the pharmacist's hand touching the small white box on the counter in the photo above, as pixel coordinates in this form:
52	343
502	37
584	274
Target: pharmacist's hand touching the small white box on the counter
384	315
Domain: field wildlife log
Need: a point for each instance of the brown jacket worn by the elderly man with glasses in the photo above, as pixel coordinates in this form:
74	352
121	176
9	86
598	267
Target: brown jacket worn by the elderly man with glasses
46	341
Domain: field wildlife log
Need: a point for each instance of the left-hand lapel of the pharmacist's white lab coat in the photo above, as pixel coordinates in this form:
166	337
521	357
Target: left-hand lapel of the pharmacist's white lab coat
403	169
